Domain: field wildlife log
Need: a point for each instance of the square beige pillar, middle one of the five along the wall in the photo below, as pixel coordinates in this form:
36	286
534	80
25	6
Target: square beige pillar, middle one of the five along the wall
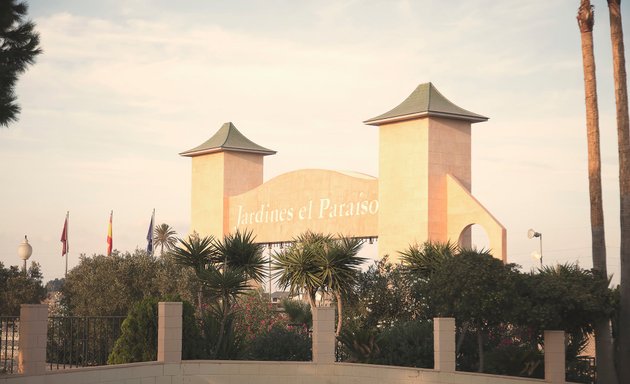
324	339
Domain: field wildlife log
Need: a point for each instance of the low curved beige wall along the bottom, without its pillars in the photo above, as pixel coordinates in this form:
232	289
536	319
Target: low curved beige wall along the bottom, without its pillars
250	372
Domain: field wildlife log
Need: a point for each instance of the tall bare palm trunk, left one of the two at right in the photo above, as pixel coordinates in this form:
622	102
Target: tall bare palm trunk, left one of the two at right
603	342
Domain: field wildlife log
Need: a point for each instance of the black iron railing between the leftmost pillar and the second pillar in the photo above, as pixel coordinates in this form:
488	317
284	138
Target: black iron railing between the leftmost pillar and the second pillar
81	341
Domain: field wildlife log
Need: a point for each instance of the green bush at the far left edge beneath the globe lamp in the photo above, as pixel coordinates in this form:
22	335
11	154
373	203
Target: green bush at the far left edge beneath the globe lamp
18	287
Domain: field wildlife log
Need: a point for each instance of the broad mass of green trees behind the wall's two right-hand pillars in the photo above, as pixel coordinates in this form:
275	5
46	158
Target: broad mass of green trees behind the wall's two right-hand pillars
501	312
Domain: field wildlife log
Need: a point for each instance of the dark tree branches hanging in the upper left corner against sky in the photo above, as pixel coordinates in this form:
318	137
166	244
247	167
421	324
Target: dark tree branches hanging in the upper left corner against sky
19	45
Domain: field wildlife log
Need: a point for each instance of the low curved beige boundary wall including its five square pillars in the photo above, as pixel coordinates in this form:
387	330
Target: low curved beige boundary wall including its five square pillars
322	370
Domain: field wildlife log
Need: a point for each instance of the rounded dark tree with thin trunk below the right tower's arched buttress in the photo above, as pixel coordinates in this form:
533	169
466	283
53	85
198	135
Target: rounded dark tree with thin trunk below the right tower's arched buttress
471	286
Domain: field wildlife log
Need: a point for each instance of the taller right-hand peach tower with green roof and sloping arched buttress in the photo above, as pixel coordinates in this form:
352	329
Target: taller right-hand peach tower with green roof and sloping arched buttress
425	175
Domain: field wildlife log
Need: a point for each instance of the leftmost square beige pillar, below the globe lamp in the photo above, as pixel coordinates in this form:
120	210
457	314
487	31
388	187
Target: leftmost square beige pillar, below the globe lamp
33	338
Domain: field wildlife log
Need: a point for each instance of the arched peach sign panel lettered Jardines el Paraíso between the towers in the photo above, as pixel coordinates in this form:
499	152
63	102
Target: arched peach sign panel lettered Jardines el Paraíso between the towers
323	201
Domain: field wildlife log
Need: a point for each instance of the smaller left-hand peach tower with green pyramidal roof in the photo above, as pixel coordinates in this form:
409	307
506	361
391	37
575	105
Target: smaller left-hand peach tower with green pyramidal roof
225	165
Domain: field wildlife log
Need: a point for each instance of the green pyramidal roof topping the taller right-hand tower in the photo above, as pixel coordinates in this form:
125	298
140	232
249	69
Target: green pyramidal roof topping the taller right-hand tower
425	101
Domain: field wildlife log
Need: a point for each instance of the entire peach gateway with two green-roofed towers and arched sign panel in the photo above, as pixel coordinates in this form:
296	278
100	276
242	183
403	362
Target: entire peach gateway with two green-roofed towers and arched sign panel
423	191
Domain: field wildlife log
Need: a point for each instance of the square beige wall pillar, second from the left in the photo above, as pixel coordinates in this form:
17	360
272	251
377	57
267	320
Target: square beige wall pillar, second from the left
170	332
